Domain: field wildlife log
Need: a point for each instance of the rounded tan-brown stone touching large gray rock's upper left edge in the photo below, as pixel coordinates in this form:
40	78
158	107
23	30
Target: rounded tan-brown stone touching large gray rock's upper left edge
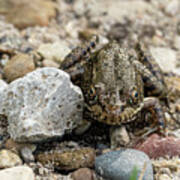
18	66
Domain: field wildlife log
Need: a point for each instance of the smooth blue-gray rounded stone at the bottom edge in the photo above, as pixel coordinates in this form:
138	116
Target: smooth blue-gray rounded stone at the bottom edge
118	165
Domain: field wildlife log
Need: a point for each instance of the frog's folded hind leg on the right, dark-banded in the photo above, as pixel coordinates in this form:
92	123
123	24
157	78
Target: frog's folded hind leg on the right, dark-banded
151	73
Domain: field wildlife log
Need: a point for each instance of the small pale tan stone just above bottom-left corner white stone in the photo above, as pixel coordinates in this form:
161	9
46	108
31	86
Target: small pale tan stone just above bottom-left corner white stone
9	159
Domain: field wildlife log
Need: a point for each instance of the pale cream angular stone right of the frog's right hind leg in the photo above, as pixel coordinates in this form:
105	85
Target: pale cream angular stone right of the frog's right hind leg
165	57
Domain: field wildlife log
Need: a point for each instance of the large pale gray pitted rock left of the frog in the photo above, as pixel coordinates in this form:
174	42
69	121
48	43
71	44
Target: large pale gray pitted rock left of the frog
43	104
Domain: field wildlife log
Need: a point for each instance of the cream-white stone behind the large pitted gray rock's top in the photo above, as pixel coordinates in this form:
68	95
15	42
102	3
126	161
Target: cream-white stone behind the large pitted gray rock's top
56	51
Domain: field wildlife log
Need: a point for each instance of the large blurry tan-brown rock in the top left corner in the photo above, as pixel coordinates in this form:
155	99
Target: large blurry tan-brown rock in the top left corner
23	13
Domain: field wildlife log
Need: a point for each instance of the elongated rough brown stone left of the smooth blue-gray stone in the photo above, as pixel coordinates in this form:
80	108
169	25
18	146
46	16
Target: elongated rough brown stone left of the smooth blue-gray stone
69	159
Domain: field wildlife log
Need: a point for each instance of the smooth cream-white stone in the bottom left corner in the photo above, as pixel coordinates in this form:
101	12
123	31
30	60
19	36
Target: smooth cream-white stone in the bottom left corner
17	173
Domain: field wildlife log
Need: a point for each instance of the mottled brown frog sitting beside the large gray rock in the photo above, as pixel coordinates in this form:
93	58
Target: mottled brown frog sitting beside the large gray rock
114	83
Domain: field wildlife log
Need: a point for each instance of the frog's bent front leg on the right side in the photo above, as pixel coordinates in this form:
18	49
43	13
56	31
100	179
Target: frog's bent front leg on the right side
153	105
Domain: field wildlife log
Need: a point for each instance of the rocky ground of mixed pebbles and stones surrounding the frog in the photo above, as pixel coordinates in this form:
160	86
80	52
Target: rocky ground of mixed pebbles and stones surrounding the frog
40	107
